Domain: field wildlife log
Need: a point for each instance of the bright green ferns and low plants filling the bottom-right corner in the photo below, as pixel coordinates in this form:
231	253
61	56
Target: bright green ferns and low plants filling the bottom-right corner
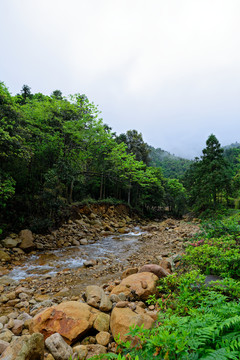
210	330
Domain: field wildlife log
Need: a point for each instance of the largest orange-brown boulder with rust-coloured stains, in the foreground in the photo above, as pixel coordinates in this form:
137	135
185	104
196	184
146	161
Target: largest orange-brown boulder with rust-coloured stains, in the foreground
70	319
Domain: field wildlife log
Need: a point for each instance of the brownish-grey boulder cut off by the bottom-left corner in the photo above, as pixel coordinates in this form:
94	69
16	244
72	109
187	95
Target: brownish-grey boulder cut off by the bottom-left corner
25	348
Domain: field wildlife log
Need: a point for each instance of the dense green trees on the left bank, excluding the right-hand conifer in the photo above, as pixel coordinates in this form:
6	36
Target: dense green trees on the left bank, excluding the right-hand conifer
56	151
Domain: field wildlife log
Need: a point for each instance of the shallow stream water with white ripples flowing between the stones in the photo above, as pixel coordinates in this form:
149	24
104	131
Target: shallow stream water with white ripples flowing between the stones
51	262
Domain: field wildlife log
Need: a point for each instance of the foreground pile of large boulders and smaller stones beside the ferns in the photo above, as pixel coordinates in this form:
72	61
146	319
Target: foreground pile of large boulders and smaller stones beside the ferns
80	328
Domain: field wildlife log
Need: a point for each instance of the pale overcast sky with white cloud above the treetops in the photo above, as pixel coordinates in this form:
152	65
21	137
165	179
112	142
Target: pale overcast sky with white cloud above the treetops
168	68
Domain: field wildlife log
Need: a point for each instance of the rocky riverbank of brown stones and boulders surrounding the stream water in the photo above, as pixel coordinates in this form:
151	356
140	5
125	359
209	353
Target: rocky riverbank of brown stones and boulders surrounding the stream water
81	310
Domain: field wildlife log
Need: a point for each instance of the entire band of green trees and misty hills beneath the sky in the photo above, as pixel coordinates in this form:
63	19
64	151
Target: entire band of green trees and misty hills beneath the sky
56	151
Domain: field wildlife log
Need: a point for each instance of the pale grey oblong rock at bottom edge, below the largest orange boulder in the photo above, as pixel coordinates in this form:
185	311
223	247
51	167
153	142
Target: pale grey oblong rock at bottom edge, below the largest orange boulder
59	349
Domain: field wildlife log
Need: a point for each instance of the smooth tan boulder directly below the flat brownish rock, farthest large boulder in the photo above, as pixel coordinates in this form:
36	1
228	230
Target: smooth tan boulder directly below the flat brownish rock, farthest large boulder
141	285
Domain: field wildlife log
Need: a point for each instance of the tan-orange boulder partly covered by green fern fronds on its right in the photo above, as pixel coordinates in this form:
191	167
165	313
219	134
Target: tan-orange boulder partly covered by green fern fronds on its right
123	318
